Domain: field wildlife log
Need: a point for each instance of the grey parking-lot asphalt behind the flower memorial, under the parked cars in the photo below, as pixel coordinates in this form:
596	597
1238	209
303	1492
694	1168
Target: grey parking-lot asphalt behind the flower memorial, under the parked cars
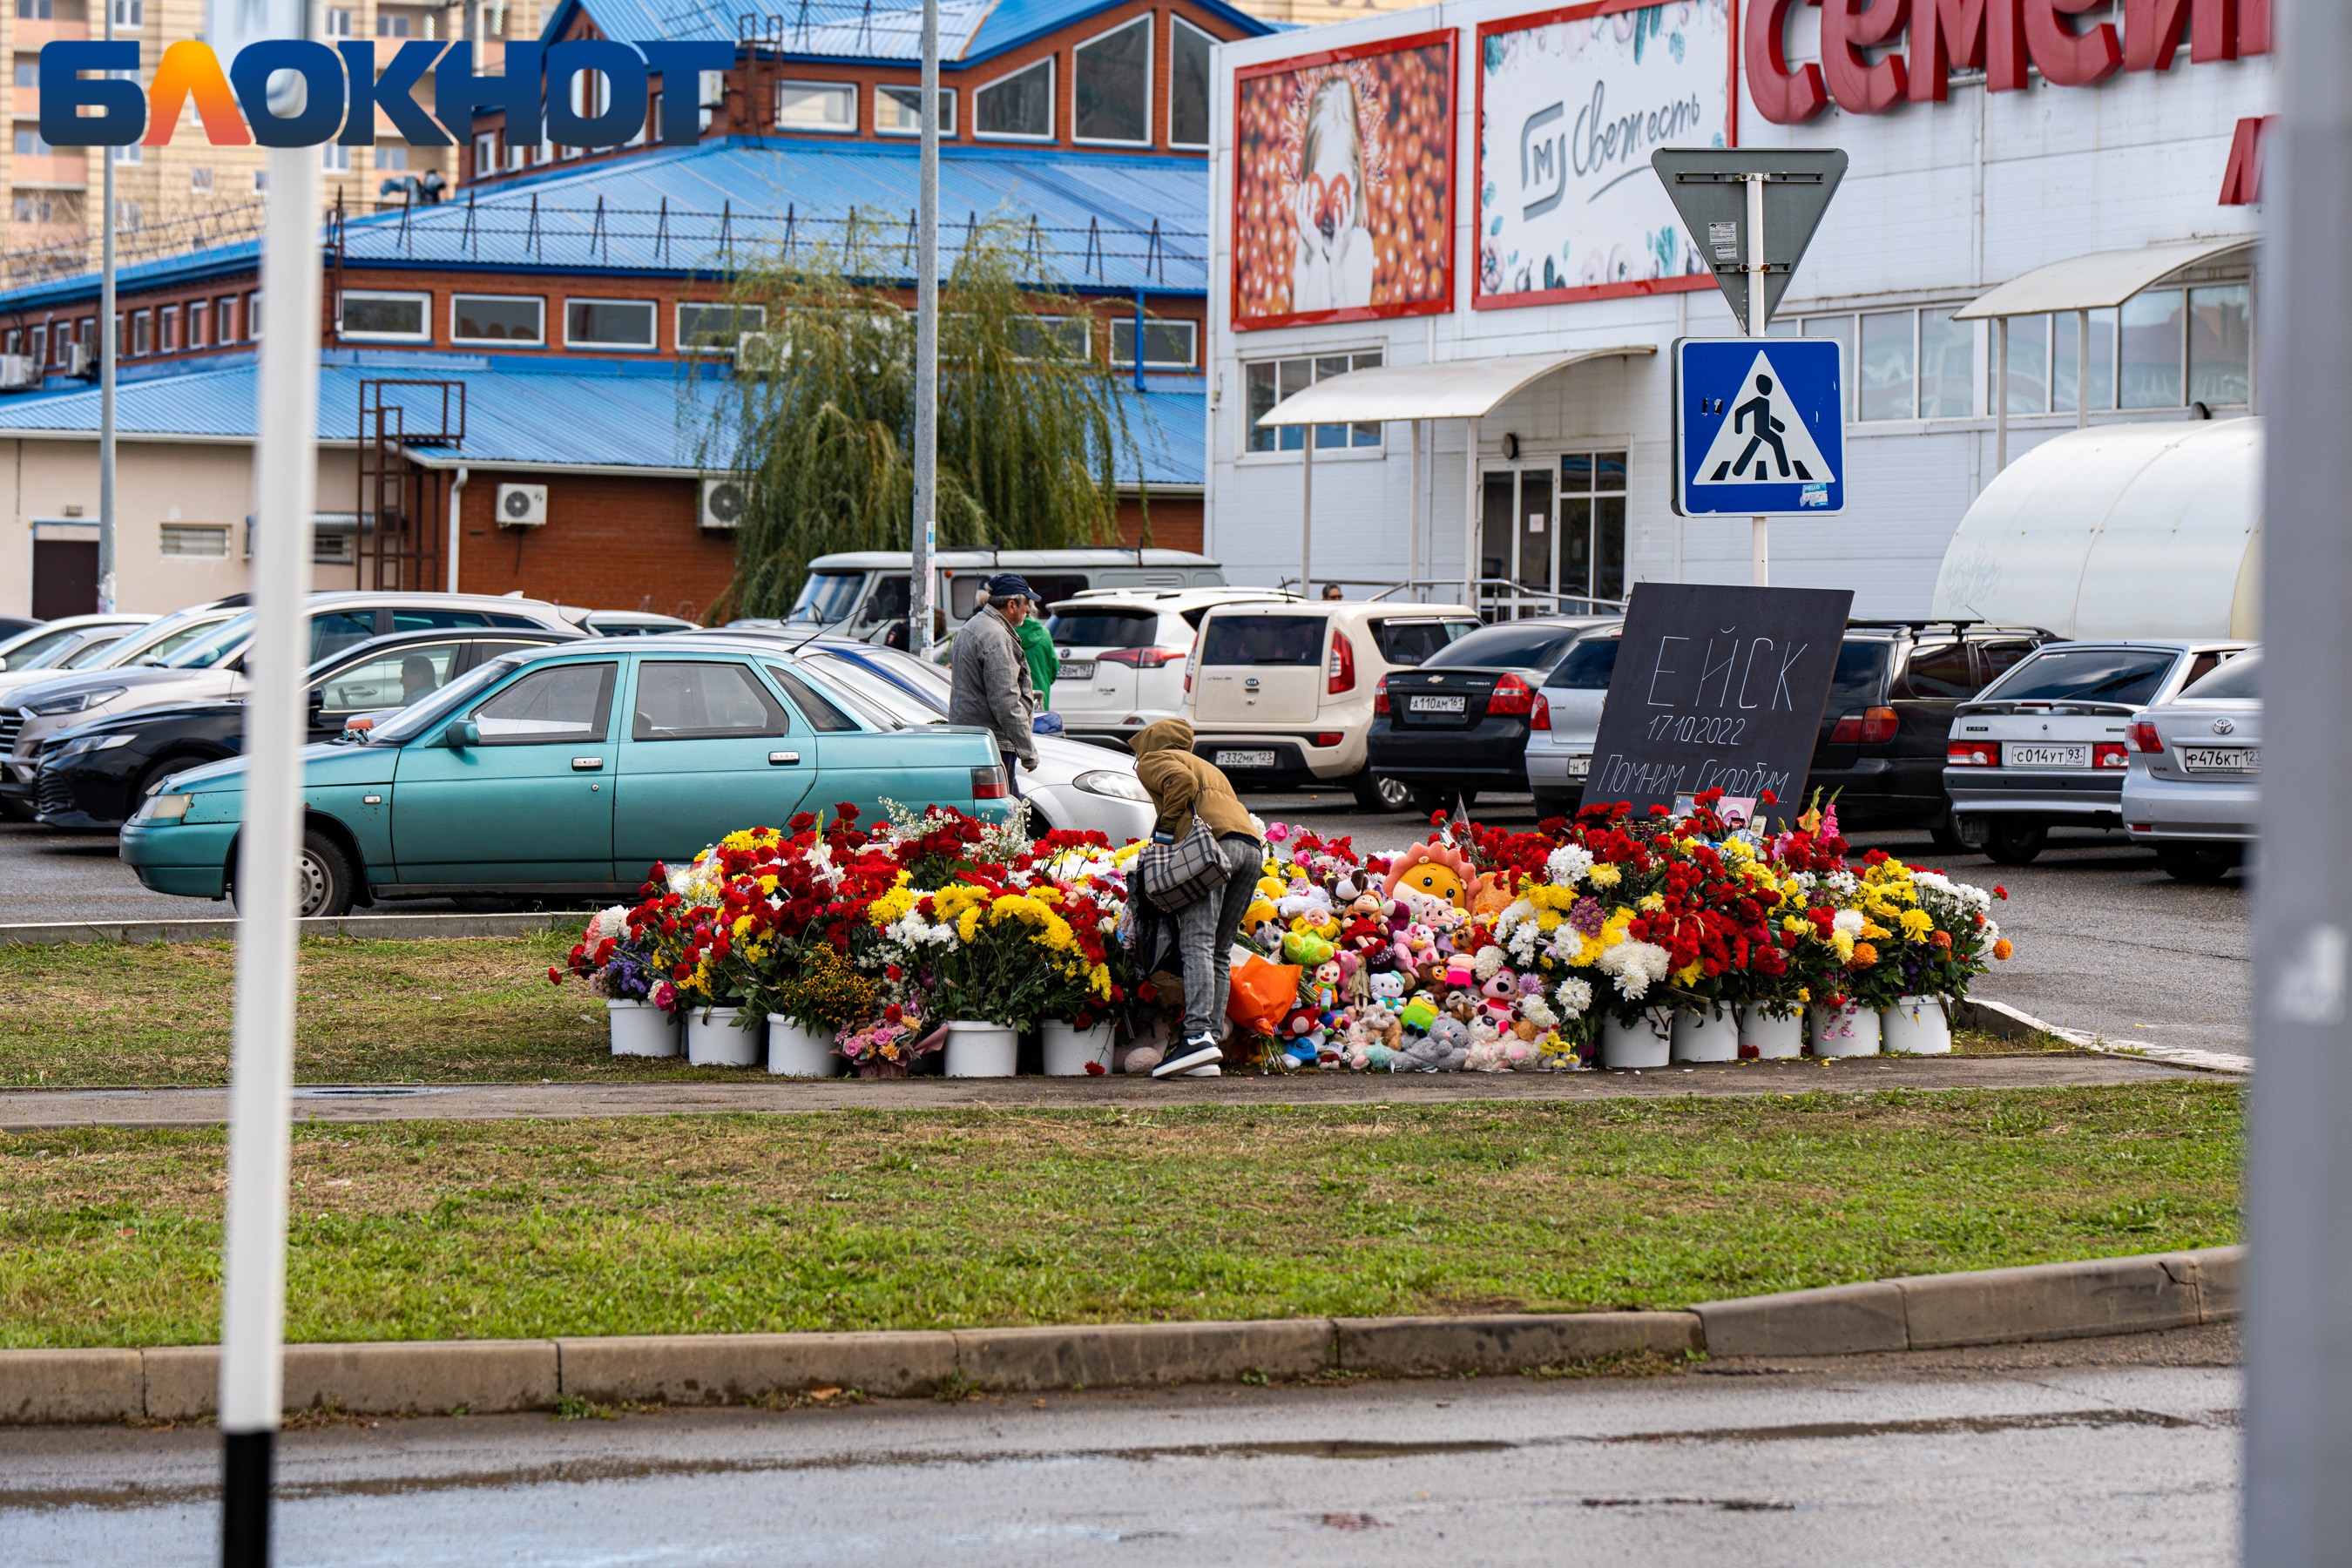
2106	942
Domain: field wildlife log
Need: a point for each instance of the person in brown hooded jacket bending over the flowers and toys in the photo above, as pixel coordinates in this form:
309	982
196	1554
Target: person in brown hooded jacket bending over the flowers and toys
1187	789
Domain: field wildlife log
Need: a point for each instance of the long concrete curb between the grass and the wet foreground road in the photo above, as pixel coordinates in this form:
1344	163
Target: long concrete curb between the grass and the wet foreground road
2057	1301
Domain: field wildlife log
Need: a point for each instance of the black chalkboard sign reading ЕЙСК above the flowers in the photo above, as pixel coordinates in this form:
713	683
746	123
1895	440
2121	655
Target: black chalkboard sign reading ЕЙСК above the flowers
1718	690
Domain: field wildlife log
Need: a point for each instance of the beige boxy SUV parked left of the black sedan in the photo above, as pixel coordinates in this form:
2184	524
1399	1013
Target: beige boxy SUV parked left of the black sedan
1281	692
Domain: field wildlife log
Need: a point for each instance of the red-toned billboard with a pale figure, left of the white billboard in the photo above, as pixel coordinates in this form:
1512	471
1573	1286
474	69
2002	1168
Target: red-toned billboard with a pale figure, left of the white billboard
1344	185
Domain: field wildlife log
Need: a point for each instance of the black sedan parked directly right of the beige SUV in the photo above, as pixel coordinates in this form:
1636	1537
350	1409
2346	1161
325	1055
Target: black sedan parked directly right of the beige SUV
1459	723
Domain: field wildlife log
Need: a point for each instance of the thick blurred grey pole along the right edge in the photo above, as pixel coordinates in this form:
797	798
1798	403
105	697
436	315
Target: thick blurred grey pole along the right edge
2299	1165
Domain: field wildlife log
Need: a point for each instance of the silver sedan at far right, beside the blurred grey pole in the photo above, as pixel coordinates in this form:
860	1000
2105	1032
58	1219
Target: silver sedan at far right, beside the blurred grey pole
2196	784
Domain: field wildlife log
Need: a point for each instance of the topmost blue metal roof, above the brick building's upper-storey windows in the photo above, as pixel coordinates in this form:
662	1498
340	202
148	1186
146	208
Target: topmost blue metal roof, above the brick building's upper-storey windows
970	32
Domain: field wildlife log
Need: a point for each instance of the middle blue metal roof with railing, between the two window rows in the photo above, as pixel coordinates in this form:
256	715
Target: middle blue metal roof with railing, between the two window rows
1088	220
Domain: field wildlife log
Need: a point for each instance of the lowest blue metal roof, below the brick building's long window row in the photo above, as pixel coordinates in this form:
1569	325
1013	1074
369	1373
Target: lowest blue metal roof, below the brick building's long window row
533	413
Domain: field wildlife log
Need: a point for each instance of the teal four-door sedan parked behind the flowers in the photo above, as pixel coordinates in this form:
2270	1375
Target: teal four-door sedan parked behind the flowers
568	775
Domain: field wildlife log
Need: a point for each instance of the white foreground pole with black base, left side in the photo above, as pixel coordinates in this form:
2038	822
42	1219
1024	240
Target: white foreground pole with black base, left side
262	1073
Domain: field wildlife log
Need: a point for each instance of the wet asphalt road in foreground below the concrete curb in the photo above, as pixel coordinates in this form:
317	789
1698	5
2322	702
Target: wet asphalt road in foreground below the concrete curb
2118	1452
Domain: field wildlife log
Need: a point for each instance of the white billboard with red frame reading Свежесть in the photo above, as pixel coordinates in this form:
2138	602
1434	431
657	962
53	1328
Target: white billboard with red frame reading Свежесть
1572	105
